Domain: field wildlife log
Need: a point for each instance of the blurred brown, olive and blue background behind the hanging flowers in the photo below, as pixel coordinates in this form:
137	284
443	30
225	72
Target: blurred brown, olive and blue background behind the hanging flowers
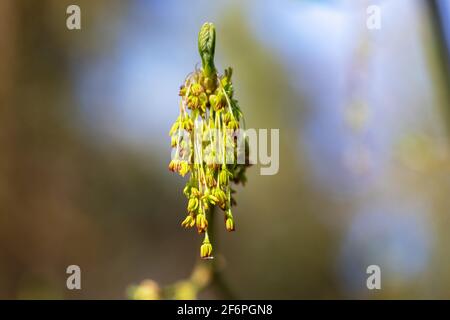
364	119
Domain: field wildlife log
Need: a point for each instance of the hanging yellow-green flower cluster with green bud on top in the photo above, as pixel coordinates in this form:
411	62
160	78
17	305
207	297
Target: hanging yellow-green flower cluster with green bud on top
207	142
